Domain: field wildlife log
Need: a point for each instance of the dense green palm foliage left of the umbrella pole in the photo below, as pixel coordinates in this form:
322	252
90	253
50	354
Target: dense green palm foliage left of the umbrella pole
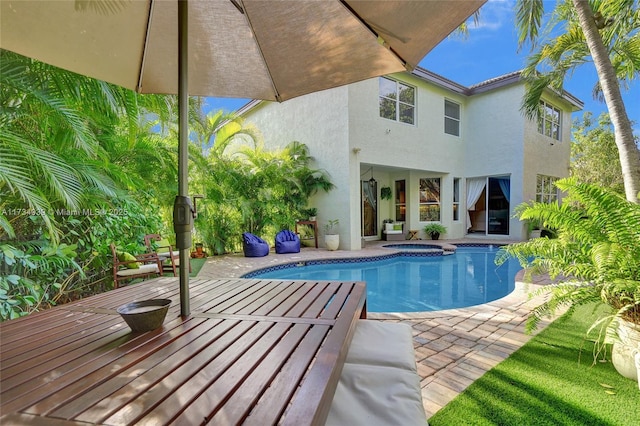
79	169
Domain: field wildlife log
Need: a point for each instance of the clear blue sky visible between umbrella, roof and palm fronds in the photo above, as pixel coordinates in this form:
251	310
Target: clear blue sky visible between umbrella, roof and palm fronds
489	51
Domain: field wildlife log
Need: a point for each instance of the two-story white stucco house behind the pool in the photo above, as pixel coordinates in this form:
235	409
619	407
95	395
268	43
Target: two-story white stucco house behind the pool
460	156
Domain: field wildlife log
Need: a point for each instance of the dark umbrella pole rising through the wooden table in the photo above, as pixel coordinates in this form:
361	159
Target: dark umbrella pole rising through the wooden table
183	147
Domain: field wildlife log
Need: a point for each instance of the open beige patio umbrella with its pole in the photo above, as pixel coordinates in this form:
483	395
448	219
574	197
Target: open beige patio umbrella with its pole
270	50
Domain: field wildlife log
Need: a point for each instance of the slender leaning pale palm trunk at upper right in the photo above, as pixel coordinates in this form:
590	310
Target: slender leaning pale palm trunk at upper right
627	149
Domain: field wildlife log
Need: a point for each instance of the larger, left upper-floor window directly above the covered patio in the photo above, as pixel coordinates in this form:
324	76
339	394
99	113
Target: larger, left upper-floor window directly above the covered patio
397	101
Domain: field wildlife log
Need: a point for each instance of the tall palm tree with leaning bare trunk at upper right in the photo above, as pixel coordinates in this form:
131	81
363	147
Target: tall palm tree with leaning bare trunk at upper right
610	36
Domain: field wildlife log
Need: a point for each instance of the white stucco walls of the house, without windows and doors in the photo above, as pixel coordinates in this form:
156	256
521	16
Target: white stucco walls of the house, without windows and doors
345	133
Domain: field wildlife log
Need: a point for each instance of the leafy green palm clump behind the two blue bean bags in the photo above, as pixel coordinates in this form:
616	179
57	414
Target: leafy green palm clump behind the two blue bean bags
250	189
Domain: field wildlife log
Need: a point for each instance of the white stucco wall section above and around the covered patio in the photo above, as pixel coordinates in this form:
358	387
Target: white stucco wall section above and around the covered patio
421	150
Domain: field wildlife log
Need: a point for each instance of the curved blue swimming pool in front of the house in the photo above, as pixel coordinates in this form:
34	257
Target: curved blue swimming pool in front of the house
414	282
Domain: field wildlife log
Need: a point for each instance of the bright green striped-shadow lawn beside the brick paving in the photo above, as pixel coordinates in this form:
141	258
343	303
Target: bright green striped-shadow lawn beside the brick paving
549	381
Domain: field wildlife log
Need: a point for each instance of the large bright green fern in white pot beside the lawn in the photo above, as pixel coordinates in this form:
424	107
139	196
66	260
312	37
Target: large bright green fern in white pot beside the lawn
595	257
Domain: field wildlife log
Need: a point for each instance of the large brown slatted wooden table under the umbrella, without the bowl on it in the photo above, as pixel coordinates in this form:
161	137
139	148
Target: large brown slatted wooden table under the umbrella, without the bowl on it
253	352
